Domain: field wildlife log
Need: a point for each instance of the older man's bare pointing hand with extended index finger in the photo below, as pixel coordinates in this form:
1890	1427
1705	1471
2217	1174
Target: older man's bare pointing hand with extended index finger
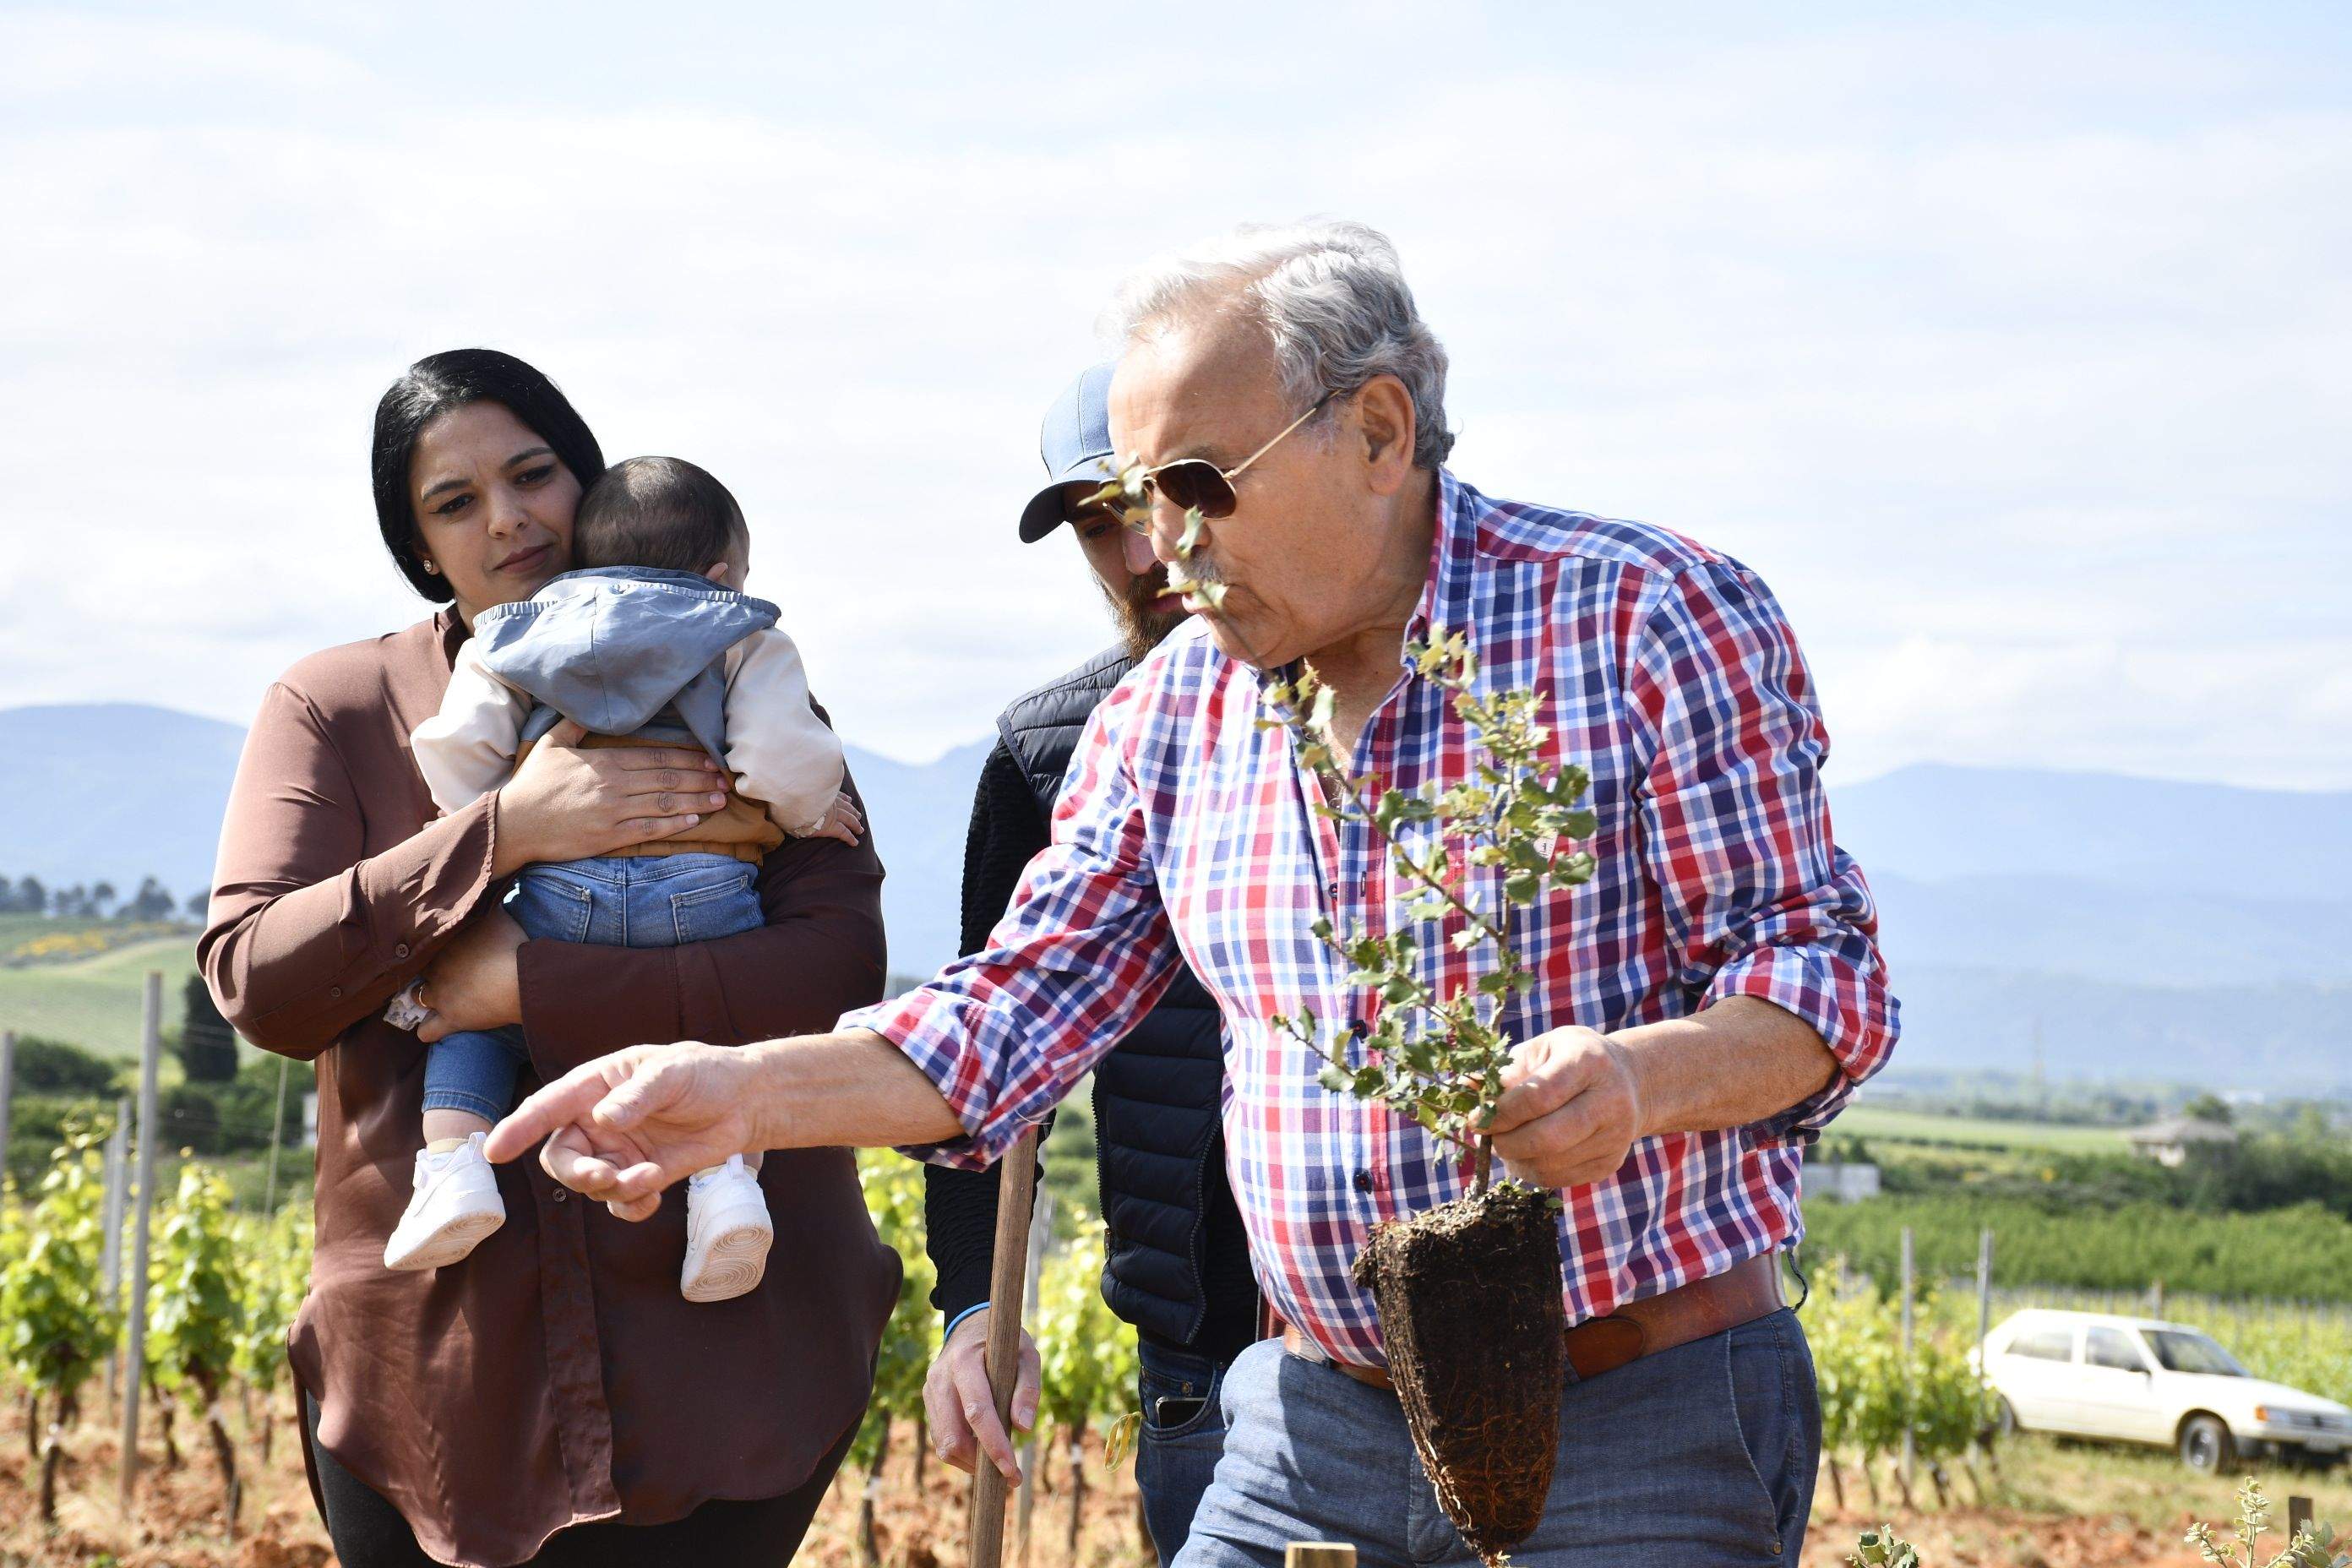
624	1127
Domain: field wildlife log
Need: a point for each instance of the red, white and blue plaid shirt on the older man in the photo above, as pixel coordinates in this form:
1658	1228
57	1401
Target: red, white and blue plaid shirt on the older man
1671	676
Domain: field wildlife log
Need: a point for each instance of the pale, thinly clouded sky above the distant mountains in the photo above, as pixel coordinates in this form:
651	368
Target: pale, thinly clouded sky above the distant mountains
2012	344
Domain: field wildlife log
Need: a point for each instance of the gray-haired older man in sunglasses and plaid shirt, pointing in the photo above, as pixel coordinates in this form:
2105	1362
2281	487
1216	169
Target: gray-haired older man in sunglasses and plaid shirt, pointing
1702	1007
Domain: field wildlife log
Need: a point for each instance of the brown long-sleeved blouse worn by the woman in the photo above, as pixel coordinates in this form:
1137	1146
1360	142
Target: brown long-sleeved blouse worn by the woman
556	1376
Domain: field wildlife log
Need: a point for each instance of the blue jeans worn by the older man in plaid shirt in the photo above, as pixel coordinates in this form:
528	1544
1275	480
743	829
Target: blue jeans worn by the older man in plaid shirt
1702	1454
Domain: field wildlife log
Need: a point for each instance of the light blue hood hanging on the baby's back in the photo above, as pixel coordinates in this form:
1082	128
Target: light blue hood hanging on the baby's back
610	648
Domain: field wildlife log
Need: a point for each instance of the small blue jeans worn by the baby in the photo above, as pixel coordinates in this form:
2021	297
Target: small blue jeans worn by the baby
615	902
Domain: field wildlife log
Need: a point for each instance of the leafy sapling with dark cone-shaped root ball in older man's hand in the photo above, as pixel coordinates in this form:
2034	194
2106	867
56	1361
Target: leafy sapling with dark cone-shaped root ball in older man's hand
1478	1369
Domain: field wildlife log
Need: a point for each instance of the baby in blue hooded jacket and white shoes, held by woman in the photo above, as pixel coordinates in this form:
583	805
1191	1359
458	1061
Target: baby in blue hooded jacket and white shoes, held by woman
648	643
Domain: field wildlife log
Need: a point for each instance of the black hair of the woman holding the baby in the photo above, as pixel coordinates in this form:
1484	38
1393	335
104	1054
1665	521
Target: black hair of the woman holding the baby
448	382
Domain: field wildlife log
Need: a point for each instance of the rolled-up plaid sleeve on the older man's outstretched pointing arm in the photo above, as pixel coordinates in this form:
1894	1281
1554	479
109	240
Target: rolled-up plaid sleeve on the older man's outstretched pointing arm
1083	953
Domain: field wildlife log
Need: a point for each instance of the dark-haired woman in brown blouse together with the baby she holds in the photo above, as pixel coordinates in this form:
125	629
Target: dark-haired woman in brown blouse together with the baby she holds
542	1388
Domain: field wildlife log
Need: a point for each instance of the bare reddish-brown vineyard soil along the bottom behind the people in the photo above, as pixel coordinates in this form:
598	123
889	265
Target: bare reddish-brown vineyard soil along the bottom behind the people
2054	1508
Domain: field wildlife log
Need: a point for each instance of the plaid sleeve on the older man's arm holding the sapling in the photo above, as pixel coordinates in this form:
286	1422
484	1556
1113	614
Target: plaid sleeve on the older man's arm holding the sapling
1737	831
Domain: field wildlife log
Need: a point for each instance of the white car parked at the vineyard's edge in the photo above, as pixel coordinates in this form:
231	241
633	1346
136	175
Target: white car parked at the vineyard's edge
2090	1374
